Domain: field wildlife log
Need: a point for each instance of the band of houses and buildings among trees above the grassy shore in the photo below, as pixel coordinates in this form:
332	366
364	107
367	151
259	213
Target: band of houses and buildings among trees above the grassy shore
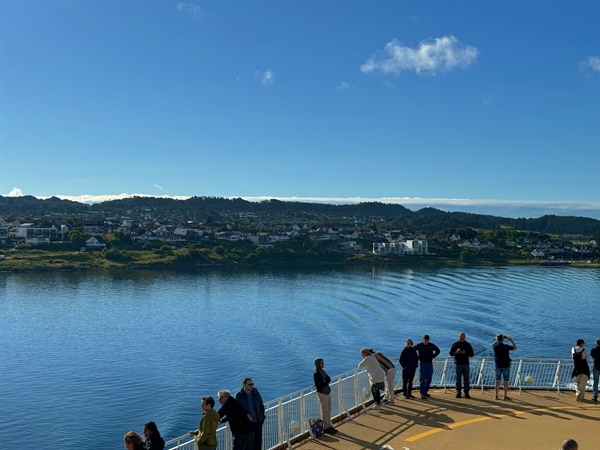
355	238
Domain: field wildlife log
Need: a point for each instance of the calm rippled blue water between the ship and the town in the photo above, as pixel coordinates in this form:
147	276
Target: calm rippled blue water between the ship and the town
86	357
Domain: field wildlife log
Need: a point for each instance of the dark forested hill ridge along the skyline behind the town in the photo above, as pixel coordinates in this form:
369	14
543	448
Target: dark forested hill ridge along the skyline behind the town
429	220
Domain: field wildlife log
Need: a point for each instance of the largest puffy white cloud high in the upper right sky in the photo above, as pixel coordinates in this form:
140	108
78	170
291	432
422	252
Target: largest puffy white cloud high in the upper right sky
430	57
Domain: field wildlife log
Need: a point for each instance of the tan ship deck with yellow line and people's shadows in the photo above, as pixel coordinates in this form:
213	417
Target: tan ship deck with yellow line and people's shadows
532	420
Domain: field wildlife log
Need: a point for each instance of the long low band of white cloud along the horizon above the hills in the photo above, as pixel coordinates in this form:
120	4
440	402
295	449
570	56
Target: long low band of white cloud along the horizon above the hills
500	208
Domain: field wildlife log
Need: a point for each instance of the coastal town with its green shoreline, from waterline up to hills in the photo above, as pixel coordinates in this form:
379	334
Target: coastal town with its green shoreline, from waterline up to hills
148	237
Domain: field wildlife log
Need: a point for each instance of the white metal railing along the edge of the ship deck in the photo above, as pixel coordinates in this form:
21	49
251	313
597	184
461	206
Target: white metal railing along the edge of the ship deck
288	416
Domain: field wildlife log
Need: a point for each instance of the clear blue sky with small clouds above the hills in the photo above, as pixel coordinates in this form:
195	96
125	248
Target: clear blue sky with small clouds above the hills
491	106
